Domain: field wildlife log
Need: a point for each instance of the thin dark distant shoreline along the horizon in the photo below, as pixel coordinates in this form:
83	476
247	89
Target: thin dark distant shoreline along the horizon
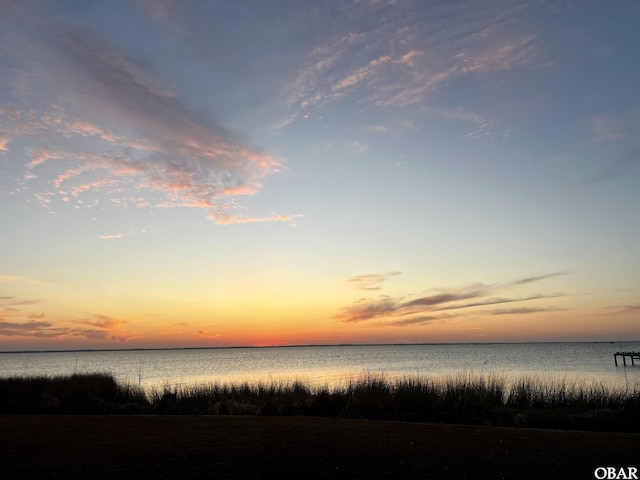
143	349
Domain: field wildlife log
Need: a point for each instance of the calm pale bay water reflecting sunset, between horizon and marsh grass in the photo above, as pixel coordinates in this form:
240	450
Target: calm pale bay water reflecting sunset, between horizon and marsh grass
335	365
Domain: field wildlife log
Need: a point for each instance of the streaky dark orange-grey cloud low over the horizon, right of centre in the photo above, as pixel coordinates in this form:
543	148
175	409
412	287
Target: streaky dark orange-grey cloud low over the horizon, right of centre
442	305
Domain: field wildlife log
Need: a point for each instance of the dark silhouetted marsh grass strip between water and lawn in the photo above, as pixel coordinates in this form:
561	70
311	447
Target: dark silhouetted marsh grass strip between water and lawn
465	398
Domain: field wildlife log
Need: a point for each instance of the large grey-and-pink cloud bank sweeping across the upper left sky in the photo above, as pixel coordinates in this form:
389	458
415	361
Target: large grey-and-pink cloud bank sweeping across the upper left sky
105	126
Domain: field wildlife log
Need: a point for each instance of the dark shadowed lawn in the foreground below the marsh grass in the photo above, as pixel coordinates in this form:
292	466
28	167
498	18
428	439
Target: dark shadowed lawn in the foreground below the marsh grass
140	447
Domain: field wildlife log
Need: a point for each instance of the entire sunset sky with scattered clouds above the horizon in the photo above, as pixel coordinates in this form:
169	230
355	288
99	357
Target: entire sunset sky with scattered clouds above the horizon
207	173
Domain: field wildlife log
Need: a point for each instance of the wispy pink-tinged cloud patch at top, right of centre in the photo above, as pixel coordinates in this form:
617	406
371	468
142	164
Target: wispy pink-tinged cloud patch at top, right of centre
403	53
